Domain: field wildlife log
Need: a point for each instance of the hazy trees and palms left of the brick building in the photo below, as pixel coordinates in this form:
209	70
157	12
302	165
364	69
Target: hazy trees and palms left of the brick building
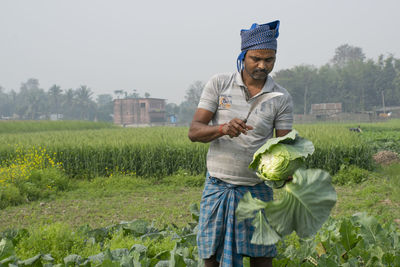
33	103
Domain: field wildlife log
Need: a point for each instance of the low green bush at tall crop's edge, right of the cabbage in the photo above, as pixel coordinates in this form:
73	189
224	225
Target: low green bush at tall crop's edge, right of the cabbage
350	175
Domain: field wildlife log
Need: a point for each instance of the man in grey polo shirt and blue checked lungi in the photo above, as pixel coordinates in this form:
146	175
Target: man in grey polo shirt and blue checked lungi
225	102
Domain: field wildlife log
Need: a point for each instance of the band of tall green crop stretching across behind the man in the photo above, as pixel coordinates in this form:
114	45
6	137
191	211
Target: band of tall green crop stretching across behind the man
162	151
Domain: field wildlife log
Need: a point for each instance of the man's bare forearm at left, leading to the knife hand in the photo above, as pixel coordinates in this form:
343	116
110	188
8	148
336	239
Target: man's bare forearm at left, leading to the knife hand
200	132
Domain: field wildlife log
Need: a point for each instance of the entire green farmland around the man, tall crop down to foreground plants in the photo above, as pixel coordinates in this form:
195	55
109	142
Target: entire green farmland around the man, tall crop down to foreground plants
57	180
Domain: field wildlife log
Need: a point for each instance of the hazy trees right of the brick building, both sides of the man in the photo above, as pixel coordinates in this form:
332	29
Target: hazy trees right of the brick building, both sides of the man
349	78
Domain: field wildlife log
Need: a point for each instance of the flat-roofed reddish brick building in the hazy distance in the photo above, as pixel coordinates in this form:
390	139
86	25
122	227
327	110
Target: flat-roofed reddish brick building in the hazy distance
139	111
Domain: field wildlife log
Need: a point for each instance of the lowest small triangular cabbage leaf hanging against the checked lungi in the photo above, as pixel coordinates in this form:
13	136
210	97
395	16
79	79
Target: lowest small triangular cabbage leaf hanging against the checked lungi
263	233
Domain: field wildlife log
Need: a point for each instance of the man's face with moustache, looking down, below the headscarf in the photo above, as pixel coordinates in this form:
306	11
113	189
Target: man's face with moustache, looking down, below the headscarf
259	63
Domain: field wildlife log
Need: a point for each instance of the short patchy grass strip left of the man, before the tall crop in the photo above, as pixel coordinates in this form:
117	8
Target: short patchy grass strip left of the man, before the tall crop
105	201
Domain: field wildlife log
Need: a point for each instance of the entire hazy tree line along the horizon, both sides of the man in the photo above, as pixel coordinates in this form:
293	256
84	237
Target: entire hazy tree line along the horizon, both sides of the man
358	83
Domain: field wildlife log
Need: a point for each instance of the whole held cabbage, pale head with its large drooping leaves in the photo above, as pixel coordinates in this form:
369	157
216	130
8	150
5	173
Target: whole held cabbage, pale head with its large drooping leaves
308	196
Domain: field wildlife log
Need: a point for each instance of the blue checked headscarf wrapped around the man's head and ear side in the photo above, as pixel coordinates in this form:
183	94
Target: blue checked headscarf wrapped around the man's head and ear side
258	37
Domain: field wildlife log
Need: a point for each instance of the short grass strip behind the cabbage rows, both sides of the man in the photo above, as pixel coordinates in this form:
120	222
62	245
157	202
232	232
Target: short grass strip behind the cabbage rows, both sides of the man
105	201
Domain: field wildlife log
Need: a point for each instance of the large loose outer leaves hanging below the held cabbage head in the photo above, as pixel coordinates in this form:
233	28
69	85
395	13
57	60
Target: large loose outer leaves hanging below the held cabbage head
305	205
